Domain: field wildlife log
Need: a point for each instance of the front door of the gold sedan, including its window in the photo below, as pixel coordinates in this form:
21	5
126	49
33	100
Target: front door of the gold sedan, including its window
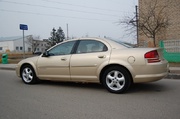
55	65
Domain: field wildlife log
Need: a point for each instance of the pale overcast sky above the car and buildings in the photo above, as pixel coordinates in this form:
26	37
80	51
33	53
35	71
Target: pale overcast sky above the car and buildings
93	18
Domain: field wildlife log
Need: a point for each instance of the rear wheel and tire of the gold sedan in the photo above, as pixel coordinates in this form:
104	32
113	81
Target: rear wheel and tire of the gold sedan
116	79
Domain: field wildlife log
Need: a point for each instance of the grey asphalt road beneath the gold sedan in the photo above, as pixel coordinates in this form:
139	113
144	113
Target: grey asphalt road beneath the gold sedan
52	100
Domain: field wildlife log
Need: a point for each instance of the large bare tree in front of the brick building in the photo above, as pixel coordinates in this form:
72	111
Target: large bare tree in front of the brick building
152	18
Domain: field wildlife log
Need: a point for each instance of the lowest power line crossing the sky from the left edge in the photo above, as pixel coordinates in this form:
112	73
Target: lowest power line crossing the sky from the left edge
22	12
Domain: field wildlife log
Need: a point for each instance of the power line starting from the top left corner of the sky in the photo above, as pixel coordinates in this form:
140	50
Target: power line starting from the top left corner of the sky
60	8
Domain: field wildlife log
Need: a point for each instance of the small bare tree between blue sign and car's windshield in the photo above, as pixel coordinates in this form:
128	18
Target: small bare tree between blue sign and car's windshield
33	42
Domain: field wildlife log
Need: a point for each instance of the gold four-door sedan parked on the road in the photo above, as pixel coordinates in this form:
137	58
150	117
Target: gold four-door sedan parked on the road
114	64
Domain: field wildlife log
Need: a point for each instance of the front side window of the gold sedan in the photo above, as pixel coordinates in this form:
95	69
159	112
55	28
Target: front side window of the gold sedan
62	49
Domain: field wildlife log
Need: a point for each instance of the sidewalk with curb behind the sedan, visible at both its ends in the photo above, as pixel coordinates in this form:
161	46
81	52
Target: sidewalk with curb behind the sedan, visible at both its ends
173	74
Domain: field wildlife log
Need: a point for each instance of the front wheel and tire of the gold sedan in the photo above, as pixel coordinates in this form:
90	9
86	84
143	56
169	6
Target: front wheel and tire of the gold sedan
28	75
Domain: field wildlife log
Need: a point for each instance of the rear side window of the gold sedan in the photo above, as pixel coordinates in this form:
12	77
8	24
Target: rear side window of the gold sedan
89	46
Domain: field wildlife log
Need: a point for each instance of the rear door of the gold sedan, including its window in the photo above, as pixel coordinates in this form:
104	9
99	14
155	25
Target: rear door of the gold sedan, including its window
90	56
